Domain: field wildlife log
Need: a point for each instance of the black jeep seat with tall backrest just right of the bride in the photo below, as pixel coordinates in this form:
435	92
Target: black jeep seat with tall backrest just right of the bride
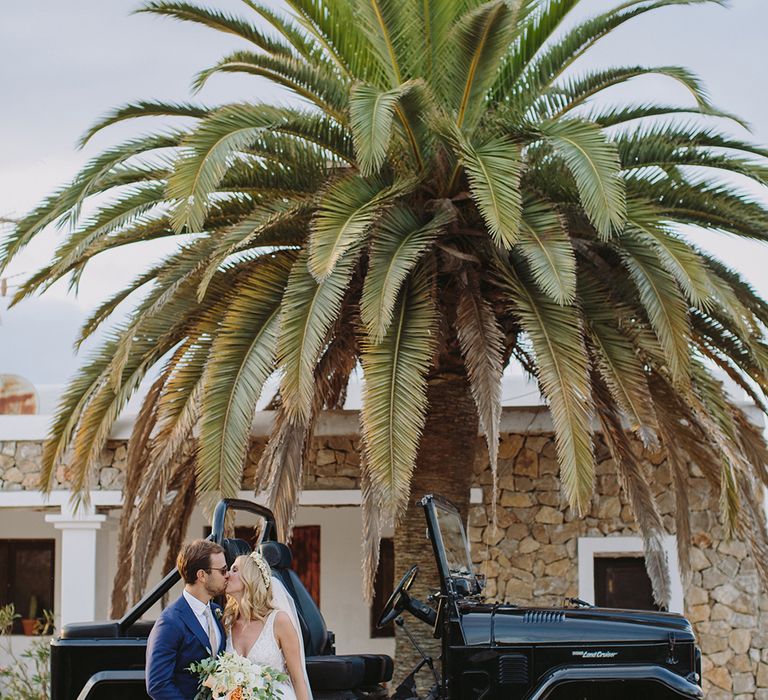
326	671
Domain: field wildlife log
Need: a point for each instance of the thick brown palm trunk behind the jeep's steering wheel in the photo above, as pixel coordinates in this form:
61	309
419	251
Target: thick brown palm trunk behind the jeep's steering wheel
444	466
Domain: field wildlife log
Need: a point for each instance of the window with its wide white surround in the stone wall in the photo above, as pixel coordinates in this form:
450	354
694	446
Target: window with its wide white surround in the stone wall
614	563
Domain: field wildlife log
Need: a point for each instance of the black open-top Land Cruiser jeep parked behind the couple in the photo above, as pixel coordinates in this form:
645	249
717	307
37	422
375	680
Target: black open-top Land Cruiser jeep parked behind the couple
489	650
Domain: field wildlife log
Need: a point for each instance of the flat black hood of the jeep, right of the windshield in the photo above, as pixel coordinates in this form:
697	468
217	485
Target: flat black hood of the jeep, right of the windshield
484	624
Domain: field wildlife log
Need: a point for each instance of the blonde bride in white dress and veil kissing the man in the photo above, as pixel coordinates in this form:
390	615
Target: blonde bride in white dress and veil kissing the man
261	629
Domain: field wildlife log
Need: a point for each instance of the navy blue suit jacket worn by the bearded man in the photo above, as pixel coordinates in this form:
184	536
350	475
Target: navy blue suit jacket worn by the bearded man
176	641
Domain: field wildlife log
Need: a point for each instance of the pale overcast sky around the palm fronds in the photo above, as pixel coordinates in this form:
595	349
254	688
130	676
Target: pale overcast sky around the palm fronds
63	64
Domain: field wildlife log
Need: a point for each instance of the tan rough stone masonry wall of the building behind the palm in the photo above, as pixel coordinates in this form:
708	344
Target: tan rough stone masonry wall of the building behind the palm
531	557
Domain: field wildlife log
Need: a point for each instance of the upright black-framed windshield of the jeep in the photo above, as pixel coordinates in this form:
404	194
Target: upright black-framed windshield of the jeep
450	543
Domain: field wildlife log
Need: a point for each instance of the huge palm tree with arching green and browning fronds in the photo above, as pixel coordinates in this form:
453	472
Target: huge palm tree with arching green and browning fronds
445	197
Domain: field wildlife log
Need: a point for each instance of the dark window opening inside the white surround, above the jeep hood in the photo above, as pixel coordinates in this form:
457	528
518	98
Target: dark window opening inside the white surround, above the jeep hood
622	582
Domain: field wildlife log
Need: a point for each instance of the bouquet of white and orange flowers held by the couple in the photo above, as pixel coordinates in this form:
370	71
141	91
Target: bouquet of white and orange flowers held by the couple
230	676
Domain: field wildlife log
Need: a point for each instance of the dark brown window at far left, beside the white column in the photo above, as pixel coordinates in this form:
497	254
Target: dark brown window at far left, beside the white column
27	576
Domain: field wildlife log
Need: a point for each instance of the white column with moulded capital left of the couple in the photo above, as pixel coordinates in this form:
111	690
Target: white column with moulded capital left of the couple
79	540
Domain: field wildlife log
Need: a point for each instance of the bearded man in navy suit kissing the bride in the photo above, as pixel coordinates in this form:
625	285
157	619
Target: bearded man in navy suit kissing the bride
189	629
